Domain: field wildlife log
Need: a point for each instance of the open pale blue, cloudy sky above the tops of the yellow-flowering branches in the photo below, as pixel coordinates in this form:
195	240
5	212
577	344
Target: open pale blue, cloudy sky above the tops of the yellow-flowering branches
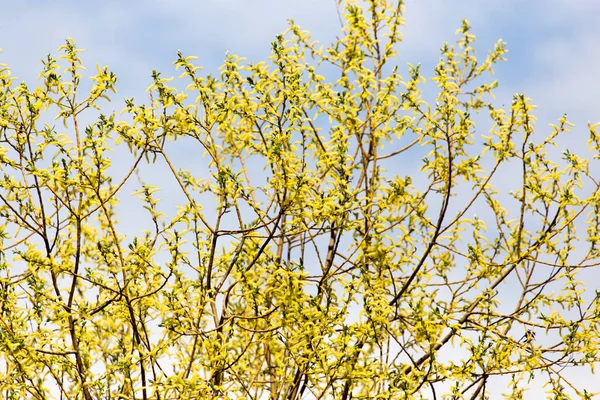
553	44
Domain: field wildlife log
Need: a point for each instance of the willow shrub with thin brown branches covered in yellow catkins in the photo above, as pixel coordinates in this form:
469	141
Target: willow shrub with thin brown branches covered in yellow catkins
372	256
